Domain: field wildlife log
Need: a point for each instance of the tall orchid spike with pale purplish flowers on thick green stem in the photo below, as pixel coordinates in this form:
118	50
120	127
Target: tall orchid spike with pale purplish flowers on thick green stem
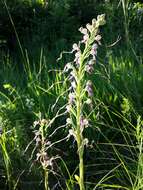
81	89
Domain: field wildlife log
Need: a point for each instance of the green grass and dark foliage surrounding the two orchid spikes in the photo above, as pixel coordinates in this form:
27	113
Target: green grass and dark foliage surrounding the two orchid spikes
32	36
